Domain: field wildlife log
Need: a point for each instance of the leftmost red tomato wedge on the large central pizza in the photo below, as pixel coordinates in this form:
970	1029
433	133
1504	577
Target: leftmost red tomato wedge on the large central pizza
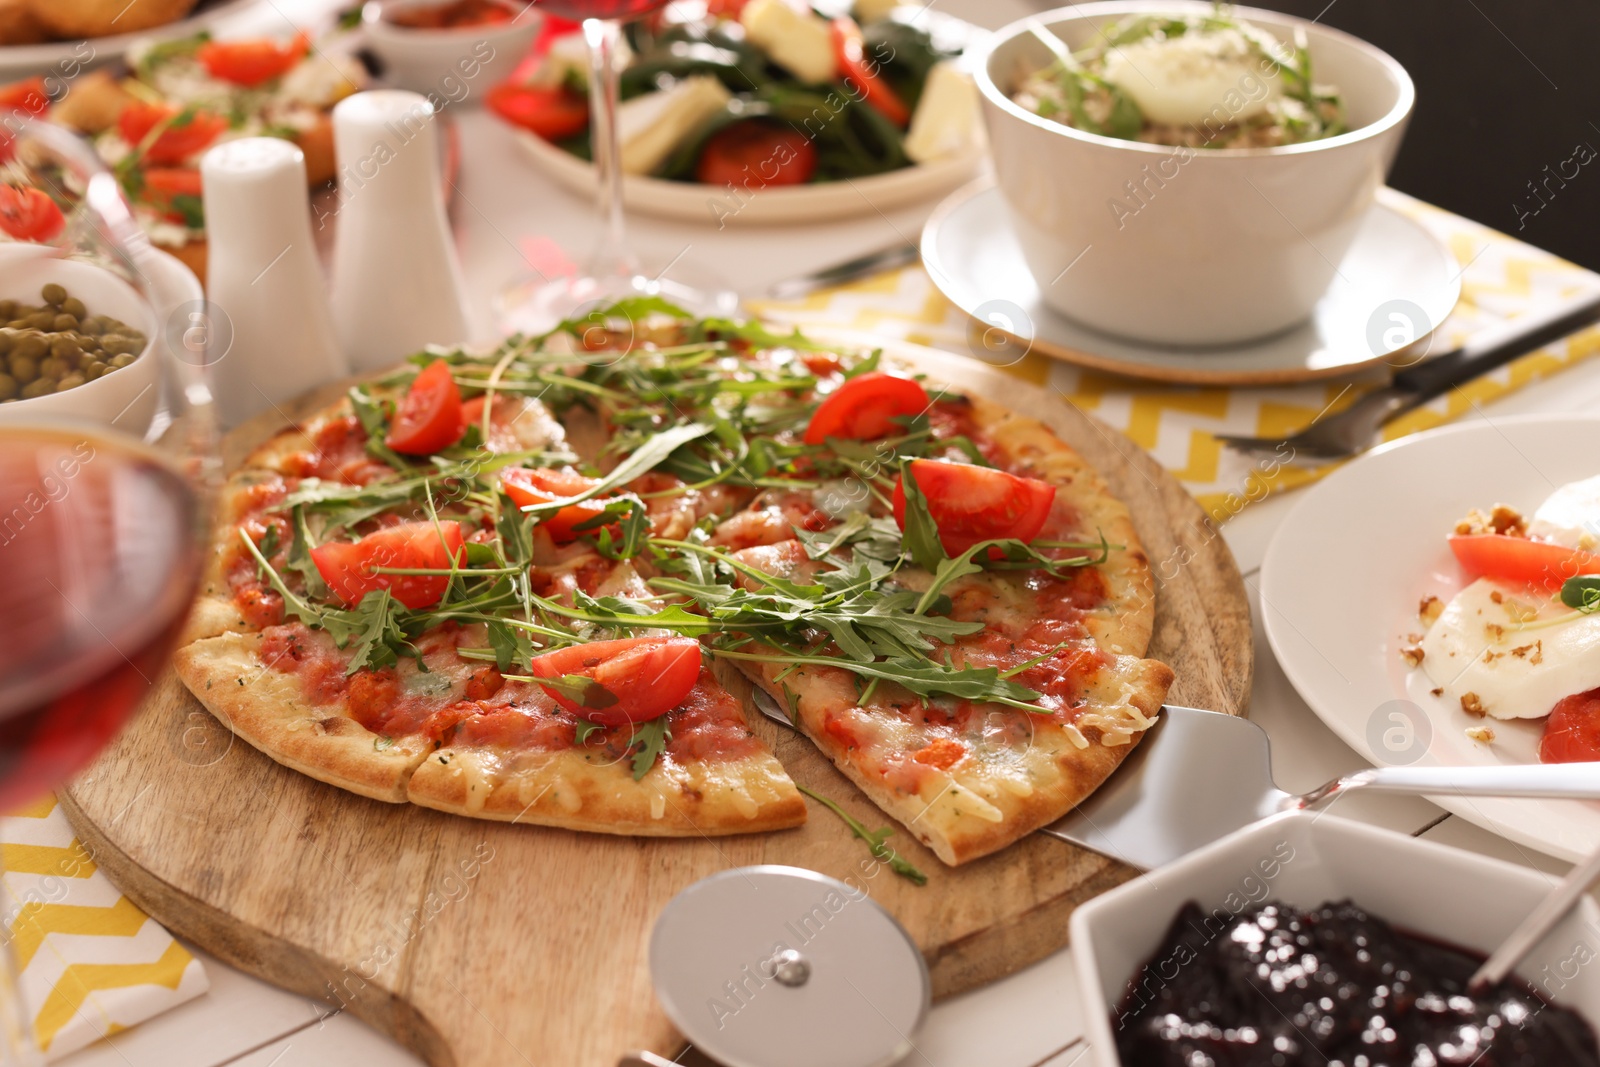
348	565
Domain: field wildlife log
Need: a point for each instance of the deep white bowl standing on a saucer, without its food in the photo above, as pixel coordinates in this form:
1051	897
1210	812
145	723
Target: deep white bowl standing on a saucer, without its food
1222	246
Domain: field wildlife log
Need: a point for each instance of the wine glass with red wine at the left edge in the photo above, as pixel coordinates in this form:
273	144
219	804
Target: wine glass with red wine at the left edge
105	476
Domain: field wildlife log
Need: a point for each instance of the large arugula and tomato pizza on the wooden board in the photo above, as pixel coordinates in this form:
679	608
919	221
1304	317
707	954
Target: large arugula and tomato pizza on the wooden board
513	585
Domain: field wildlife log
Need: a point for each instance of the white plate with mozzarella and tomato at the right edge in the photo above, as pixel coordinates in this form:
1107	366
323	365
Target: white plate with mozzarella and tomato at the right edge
1343	577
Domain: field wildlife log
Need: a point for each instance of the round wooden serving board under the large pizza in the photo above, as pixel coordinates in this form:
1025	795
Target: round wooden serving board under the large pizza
482	945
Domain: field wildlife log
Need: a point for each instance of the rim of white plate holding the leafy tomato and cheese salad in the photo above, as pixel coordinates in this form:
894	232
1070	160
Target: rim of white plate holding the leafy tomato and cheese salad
718	207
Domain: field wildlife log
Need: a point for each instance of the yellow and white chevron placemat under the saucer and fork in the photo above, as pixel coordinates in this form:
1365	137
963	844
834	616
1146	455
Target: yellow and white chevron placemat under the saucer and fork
1500	279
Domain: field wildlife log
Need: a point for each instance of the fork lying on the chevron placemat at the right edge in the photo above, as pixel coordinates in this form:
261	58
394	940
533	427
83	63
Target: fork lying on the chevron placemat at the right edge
1353	431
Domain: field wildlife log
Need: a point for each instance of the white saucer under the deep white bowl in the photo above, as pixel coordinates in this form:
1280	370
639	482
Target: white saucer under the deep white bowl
975	260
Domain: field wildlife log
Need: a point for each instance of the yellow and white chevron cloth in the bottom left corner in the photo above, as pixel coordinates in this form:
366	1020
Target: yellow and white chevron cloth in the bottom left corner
90	962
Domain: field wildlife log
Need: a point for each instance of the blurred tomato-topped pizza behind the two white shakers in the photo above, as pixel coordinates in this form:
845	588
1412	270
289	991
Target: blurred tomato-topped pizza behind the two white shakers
186	95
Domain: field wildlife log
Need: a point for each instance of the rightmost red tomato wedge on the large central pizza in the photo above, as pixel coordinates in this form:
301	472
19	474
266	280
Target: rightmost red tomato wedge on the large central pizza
970	505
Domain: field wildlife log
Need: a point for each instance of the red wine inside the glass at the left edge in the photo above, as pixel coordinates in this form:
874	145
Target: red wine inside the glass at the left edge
100	556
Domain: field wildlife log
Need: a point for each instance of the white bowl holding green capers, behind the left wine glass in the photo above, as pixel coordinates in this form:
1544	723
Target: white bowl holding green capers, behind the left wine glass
124	399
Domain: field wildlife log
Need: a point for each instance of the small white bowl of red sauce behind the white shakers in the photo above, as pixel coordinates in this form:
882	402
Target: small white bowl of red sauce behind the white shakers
449	66
